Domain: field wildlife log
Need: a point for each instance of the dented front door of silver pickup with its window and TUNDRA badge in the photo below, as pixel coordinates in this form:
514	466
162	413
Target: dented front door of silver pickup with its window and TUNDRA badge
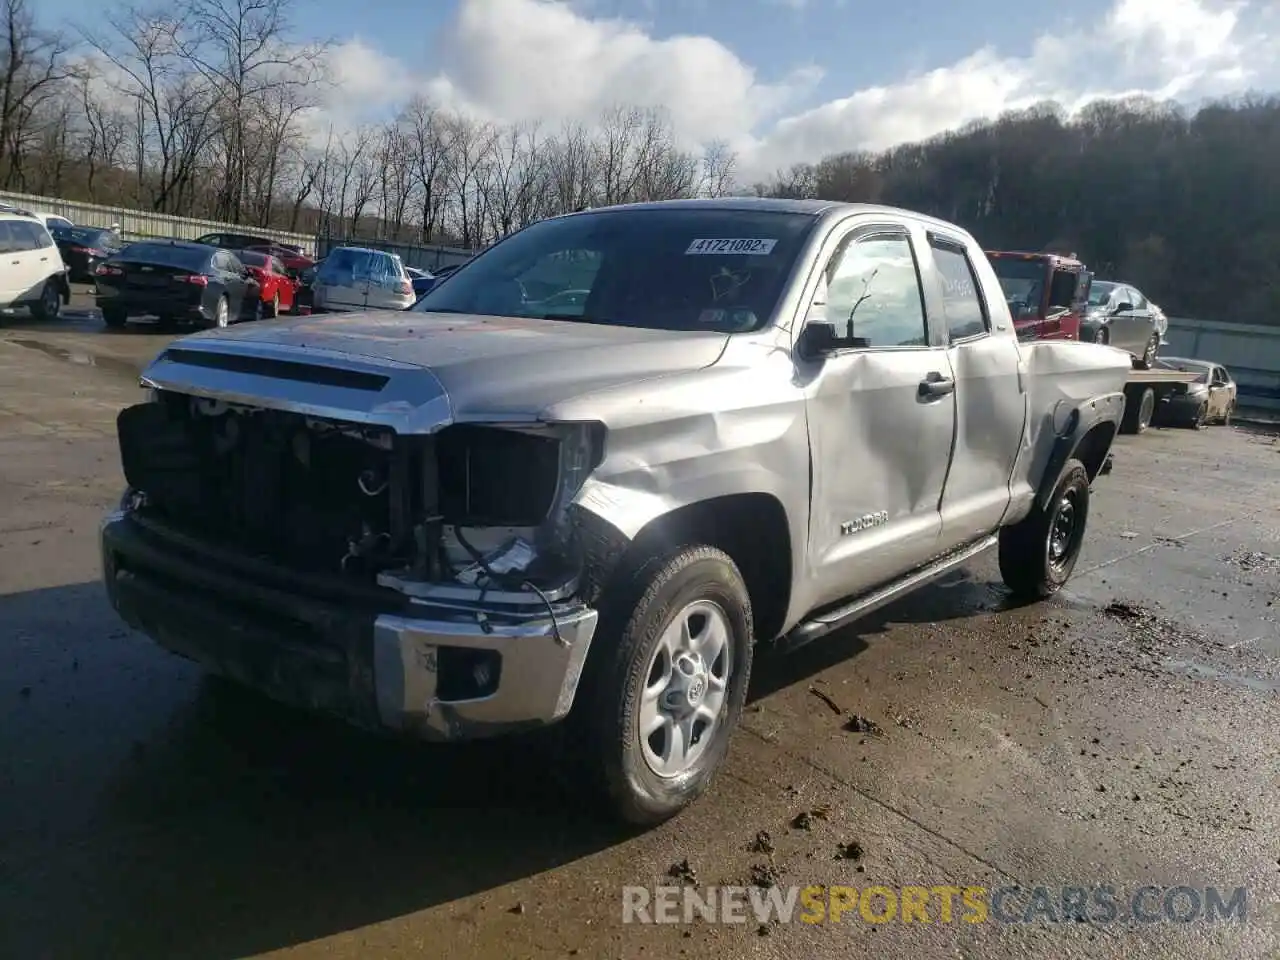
881	414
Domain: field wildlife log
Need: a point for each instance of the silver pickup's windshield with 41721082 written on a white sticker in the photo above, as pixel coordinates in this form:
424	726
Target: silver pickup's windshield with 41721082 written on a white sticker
665	269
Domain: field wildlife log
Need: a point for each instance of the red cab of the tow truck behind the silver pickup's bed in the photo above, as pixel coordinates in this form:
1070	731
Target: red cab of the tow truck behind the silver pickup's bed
1046	292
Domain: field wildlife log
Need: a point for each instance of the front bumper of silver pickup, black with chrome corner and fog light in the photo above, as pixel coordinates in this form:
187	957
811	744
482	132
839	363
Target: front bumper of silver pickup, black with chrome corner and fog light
372	657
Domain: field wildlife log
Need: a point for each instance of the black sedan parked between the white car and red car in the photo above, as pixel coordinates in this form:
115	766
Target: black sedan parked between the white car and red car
176	281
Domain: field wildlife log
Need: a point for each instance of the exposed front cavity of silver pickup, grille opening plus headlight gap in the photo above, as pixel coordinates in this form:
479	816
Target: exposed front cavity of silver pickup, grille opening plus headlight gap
473	505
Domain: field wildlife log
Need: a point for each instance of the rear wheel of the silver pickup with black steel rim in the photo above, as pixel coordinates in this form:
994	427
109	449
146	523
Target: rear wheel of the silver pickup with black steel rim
1037	555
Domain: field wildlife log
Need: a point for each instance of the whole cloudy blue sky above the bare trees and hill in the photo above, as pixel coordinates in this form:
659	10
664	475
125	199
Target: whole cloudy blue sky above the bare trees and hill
779	80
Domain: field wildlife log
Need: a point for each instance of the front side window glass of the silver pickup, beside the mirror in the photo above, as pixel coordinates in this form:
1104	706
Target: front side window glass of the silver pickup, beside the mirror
874	294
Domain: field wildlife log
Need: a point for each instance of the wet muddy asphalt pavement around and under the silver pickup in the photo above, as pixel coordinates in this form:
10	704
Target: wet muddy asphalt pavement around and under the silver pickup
1123	734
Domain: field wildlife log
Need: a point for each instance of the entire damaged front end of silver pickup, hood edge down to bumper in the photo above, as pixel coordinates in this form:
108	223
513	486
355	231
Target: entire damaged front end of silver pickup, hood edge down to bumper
326	531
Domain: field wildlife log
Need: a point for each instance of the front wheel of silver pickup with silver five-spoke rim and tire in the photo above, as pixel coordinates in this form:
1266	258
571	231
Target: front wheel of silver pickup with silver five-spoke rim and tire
630	655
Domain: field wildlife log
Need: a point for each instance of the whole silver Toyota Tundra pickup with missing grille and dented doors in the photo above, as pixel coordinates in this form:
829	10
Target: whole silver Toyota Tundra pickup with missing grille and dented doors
584	476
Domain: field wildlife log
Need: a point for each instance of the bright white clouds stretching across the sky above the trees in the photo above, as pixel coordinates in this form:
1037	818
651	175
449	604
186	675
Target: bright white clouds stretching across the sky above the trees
556	61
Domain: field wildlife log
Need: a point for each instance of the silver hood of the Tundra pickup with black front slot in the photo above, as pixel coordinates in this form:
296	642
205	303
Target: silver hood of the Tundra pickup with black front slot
419	372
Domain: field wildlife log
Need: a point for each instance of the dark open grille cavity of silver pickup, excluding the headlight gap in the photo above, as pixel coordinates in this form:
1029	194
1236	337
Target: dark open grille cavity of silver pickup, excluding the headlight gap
313	496
